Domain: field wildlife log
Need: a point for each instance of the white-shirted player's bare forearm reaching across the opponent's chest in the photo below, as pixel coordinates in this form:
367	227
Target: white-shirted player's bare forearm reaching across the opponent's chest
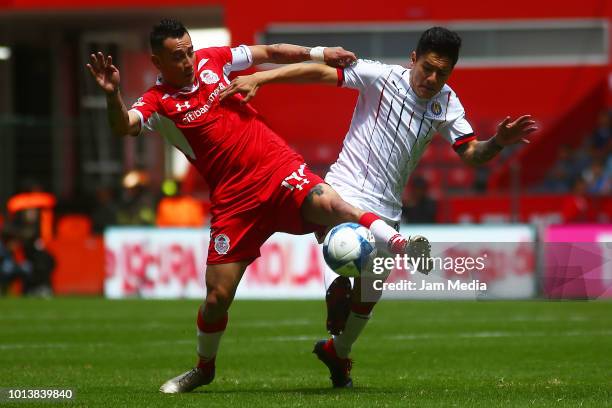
295	73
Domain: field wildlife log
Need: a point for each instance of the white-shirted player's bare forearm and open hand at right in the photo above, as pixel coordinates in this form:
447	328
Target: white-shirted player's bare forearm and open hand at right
508	133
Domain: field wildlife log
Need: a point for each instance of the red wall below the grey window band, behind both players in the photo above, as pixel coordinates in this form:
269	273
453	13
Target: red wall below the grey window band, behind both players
322	114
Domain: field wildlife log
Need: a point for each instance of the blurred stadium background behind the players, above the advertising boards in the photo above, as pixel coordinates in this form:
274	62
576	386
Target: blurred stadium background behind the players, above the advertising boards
64	179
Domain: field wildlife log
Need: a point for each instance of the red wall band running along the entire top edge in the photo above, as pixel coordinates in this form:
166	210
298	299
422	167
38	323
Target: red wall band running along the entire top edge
244	18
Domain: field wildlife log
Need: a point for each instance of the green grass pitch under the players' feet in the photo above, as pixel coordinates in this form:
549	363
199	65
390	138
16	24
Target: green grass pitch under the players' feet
117	353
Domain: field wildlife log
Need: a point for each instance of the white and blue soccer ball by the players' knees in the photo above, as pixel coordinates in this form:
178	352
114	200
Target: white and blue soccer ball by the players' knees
348	249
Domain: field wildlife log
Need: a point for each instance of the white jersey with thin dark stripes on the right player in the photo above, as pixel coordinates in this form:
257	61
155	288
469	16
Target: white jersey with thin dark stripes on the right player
390	129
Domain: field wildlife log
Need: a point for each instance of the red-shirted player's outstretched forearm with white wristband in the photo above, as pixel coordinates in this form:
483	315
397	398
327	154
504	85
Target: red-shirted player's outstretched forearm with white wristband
288	54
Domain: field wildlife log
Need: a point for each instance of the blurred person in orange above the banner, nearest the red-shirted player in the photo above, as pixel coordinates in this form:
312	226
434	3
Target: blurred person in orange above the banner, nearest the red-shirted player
178	210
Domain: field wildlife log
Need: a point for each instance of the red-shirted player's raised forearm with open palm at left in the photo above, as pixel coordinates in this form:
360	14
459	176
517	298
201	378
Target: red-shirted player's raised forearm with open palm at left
107	77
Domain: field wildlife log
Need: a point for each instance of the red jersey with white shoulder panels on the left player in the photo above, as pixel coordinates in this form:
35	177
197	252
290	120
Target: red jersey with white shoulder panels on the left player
228	143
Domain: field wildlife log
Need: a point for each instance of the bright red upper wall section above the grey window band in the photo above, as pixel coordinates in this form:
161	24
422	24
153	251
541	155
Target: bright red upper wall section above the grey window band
244	18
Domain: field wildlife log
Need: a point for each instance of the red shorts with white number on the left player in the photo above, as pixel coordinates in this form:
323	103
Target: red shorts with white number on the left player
239	235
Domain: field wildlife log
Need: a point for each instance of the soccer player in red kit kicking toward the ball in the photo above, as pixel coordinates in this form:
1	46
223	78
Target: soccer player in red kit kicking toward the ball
258	184
